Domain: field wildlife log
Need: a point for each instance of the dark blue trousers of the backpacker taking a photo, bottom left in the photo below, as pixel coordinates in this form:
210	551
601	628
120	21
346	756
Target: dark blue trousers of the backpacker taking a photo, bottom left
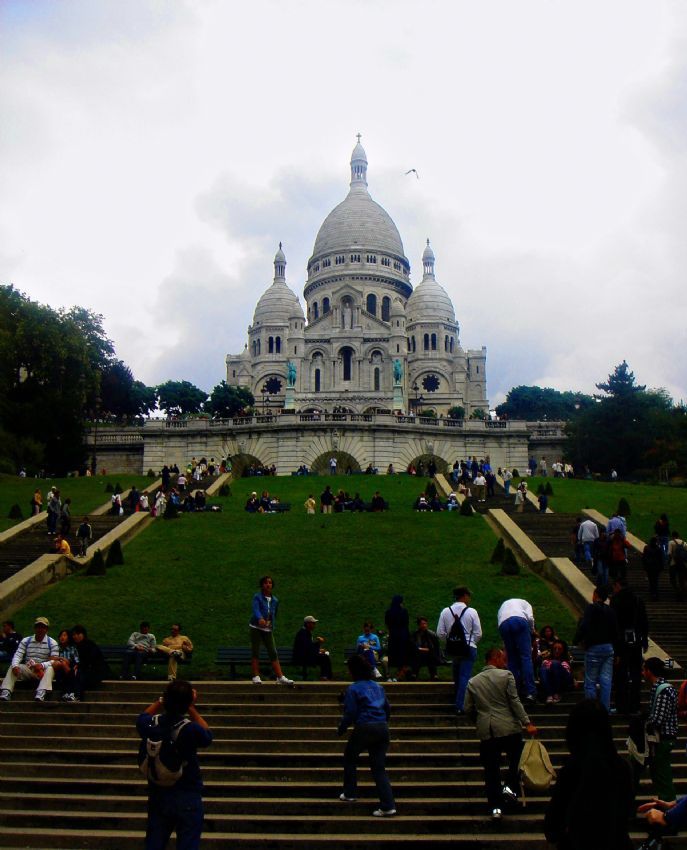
171	809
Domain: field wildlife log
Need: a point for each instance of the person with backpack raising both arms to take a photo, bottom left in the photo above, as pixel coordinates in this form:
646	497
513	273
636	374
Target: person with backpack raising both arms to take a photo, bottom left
172	731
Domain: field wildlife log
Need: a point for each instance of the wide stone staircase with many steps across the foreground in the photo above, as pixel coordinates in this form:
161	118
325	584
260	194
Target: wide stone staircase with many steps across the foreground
272	775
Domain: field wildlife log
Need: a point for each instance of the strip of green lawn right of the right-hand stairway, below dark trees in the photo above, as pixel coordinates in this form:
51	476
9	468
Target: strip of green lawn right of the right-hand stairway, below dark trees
647	501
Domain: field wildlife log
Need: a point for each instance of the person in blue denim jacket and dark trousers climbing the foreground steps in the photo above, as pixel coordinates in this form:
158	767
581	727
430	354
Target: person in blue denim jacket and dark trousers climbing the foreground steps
366	708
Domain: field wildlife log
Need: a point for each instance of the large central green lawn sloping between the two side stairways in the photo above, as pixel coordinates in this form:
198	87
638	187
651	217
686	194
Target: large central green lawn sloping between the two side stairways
203	569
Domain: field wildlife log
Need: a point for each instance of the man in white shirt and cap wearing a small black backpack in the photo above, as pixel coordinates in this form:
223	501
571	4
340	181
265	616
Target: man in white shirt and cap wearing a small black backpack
459	626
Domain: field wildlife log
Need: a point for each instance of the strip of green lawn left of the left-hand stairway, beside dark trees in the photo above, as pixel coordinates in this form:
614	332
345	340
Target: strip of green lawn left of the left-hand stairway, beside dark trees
85	493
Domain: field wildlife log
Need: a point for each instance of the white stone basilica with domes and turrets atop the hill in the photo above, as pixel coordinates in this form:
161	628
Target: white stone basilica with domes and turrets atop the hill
371	342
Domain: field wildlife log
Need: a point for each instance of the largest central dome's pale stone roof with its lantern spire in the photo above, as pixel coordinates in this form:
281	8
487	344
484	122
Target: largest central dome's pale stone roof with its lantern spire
358	221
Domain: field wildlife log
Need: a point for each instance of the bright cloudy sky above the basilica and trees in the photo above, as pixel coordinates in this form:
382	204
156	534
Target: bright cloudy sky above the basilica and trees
153	153
